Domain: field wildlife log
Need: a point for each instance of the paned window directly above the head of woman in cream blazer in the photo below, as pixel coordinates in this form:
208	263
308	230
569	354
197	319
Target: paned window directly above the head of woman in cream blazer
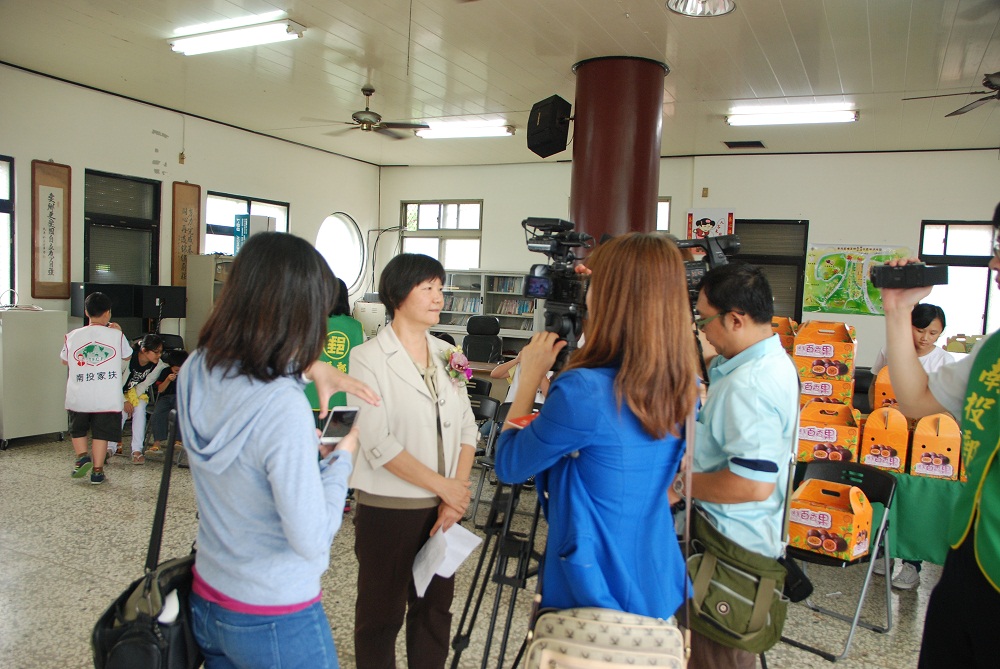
450	231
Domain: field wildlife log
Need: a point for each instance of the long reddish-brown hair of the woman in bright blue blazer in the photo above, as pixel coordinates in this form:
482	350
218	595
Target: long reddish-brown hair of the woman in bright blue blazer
644	331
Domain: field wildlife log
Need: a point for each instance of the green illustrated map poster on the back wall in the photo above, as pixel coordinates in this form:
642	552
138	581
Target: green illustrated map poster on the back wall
837	278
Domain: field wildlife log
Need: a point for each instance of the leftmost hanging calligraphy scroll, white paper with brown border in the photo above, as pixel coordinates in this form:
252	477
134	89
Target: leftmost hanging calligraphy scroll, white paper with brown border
50	212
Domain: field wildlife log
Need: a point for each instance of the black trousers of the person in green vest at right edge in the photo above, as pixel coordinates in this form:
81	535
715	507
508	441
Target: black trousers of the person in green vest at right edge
960	627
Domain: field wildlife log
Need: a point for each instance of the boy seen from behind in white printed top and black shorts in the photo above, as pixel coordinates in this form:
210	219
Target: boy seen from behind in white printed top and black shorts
94	354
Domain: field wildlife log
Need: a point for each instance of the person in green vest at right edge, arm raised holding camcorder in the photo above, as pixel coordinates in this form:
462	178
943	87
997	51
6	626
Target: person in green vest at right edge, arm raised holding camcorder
960	626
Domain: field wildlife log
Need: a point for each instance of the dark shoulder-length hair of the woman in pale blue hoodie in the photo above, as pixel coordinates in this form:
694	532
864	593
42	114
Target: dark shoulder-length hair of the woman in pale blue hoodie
270	319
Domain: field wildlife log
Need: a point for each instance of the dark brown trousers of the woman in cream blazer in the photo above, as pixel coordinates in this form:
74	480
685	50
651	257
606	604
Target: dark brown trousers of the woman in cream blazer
385	542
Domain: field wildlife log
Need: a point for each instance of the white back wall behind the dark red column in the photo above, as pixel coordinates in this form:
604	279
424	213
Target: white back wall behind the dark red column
847	198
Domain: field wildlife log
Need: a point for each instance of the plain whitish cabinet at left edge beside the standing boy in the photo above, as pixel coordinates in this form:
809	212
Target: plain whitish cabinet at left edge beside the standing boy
32	377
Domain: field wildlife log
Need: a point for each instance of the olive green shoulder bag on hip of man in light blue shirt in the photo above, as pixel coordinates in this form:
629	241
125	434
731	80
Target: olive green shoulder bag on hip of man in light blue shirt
737	599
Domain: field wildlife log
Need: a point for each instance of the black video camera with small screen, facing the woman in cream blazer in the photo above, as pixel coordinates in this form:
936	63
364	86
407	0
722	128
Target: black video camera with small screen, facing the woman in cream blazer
564	291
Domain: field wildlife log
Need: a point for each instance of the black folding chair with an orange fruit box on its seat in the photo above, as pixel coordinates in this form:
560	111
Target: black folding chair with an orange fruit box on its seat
879	487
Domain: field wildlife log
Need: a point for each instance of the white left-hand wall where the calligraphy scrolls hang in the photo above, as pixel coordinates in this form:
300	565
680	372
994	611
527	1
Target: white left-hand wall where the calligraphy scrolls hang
44	119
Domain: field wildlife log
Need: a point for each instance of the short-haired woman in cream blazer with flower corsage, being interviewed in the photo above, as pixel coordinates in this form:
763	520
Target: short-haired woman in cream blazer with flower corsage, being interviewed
412	470
